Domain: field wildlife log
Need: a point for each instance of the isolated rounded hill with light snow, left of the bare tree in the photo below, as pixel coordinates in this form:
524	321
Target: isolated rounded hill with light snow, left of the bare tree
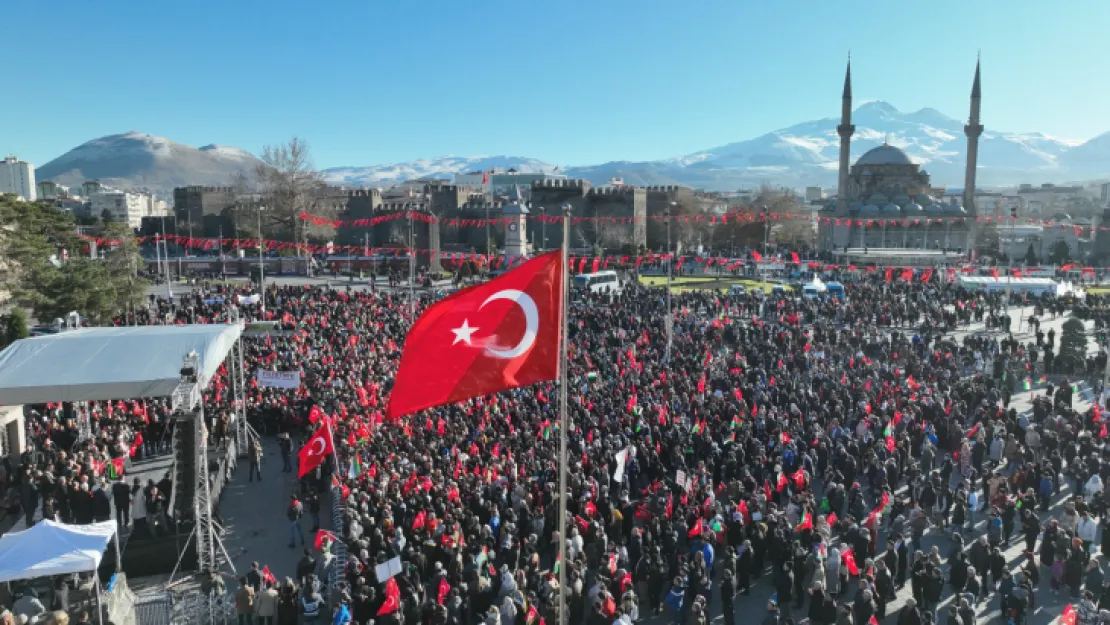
135	160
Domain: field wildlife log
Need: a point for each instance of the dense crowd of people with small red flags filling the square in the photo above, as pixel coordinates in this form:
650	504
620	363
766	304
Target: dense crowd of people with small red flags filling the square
830	450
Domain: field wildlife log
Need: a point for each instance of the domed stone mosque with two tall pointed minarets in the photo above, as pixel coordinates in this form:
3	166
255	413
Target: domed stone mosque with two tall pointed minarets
886	204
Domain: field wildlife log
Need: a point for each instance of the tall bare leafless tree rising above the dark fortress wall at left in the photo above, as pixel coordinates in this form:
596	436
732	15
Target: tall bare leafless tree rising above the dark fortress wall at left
287	179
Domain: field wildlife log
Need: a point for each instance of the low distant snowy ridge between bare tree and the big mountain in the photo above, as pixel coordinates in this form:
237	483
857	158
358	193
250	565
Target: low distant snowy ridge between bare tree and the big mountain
443	168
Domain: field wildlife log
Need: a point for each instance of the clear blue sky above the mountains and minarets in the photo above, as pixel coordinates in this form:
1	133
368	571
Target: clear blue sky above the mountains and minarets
567	82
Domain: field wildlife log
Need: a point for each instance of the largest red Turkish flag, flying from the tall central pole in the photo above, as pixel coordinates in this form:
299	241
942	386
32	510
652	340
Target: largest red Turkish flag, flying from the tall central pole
489	338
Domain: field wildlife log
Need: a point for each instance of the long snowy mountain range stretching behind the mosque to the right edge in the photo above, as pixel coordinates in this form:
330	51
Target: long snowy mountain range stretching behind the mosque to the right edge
808	154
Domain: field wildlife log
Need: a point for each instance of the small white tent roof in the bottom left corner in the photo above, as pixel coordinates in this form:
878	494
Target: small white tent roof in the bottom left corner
54	549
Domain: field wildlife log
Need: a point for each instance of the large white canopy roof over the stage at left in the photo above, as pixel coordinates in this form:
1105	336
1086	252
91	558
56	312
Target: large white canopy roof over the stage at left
109	364
